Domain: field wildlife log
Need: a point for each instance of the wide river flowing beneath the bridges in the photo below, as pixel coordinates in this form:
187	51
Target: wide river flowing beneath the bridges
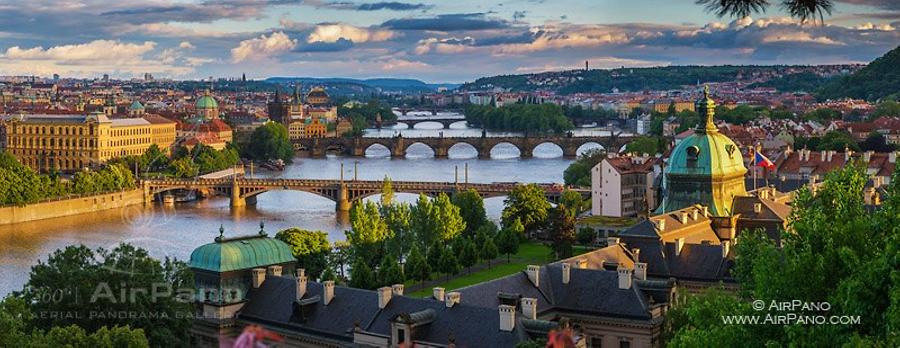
175	232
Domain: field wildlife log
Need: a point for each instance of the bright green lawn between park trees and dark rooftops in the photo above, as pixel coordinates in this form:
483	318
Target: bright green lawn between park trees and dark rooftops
530	253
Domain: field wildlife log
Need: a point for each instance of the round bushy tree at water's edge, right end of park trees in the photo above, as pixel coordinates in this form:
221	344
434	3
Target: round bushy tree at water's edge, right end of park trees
528	205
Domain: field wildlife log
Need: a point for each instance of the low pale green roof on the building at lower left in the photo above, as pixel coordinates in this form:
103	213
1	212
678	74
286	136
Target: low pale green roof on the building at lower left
240	253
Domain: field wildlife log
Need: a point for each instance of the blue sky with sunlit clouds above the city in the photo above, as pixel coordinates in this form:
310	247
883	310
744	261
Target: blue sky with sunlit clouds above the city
436	41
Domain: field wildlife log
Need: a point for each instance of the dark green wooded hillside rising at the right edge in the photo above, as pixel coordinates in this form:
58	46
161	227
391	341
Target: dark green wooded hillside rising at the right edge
877	80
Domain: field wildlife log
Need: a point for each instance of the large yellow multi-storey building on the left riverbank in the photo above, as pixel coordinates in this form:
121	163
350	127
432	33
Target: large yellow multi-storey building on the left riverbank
74	142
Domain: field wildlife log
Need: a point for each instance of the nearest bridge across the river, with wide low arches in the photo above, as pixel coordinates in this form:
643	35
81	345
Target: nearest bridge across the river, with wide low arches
243	191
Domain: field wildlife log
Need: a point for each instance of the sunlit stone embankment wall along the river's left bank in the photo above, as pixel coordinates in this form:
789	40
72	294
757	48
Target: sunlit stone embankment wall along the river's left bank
70	206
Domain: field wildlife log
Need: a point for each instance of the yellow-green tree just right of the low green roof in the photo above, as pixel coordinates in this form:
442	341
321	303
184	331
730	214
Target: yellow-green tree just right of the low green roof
310	248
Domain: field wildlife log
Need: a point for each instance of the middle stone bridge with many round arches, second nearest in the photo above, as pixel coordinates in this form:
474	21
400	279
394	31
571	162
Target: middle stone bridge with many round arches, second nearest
318	147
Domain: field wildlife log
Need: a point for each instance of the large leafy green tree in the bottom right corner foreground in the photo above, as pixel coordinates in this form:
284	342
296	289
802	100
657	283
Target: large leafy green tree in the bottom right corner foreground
837	251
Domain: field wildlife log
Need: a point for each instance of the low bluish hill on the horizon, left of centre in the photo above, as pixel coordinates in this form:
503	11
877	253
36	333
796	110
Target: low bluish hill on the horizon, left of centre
347	86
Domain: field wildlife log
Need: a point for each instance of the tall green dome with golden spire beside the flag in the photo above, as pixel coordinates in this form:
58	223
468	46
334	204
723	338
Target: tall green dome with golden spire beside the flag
705	168
